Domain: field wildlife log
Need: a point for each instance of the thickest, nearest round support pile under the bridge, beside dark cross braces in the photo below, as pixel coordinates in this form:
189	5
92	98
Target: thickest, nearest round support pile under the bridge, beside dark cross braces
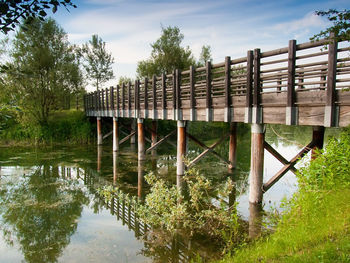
256	164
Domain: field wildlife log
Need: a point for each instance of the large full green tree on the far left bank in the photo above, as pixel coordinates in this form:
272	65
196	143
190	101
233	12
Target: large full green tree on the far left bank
44	68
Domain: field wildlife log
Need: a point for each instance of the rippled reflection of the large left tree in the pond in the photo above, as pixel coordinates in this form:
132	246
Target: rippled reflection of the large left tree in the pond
40	212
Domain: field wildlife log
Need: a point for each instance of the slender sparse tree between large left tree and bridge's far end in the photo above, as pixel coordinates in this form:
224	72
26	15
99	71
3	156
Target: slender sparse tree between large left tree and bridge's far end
98	62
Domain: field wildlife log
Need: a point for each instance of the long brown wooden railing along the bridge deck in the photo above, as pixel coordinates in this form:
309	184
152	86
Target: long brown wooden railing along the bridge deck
282	77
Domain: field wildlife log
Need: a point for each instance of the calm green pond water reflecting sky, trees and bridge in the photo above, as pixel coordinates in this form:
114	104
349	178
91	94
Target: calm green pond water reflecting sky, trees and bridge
50	209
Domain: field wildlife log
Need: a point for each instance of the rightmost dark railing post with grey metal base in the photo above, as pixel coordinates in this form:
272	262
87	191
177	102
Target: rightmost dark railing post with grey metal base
330	118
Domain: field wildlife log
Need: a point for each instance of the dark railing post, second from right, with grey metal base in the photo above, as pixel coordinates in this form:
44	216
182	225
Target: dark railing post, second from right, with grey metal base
291	111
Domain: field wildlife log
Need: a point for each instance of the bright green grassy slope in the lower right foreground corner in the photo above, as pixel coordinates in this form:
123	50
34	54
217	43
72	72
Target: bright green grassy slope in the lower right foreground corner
316	225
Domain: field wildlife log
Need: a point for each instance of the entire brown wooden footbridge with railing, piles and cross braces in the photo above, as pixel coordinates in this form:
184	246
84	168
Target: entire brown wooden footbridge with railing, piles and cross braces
301	84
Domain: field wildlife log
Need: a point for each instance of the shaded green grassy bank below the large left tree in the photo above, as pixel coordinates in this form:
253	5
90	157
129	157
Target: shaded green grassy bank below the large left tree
68	126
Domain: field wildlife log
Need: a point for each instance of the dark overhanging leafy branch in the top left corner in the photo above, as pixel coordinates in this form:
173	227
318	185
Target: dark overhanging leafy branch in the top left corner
11	11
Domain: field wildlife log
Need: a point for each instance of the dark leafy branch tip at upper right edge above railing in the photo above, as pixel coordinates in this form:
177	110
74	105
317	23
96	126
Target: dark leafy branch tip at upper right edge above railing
340	27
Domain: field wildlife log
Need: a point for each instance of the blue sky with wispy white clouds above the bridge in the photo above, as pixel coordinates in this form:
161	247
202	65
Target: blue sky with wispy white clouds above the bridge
230	27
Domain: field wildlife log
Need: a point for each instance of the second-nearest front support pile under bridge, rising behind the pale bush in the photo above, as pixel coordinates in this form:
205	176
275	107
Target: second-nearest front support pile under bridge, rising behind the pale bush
181	148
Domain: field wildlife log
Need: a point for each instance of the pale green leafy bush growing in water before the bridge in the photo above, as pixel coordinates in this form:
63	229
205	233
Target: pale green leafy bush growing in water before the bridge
191	208
